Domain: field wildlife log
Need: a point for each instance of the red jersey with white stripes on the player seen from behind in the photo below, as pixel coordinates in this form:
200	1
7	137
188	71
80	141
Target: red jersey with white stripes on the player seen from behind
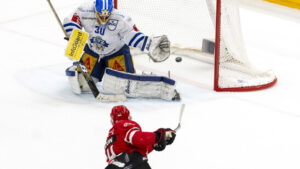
127	136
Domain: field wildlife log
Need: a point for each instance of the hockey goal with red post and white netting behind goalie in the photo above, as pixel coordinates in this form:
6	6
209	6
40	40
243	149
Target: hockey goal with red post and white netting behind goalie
188	22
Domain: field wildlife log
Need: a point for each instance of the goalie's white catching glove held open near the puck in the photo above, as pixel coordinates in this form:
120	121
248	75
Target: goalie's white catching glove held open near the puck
159	48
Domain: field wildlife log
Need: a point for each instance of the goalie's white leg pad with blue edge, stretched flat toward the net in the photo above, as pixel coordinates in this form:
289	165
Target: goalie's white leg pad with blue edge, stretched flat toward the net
145	86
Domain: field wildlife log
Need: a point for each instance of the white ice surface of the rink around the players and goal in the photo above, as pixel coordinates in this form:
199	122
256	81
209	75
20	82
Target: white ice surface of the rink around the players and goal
43	125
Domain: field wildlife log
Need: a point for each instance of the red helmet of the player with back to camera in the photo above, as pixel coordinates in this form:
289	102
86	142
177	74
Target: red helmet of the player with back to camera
119	113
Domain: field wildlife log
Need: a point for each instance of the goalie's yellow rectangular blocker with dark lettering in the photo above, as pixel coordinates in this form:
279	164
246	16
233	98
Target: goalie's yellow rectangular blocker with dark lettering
76	44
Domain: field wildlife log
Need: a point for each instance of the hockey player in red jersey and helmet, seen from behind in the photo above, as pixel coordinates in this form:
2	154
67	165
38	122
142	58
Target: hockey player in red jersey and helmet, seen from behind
127	146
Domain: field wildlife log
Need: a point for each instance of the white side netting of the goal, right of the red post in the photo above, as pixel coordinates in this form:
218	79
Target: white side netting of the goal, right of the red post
235	70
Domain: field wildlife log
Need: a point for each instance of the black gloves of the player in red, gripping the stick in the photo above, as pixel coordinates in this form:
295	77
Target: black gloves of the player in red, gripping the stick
163	137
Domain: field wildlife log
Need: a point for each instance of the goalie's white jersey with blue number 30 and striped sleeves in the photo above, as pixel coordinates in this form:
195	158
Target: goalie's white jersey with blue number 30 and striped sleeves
104	41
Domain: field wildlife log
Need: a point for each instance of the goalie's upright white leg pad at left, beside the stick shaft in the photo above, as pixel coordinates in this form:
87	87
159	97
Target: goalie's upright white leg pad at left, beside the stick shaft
76	80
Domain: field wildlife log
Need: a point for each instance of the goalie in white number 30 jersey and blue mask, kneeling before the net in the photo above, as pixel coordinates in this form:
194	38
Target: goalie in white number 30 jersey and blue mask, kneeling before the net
111	34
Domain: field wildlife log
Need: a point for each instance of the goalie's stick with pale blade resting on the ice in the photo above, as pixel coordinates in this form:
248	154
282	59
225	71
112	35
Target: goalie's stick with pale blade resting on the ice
97	94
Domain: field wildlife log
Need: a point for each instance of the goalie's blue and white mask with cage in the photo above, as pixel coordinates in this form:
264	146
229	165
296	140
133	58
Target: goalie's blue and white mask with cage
103	9
